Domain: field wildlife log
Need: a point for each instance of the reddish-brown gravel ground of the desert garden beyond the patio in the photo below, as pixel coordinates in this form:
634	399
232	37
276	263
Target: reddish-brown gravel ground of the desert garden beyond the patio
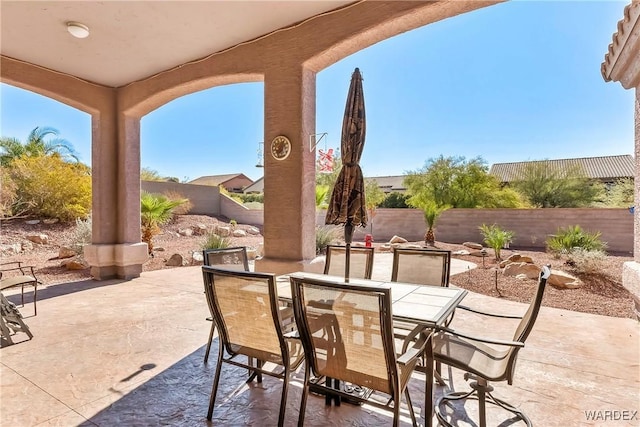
602	293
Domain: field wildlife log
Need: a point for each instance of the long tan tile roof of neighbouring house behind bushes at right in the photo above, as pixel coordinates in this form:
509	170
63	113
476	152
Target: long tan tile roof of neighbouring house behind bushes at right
606	169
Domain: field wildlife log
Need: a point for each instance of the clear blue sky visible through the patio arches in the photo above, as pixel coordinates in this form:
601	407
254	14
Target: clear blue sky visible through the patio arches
515	81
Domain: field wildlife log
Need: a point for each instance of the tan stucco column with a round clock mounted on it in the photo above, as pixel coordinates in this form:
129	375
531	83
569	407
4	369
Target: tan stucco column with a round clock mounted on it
289	184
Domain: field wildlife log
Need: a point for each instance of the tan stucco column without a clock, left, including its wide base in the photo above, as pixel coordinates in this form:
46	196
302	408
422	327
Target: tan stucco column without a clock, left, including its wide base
116	250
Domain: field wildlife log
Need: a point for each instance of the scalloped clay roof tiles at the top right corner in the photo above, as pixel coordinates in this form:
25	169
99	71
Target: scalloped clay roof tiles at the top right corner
614	58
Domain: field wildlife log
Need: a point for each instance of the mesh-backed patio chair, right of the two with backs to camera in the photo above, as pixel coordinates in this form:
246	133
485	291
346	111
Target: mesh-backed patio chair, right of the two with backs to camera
347	334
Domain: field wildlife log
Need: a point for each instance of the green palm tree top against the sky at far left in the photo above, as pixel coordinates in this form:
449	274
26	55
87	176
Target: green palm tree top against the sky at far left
37	145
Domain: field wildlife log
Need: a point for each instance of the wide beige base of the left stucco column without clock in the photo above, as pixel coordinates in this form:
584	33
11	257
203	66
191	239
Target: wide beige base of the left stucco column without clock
122	261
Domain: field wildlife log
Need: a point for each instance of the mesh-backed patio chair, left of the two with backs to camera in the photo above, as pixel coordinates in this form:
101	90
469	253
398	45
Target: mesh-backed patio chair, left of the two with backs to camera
246	311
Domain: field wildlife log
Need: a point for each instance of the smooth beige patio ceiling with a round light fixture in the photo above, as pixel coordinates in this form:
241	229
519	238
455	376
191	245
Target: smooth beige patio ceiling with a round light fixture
132	40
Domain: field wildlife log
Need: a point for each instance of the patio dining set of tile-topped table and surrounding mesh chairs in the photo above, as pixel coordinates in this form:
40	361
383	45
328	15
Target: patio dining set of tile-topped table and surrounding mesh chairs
354	333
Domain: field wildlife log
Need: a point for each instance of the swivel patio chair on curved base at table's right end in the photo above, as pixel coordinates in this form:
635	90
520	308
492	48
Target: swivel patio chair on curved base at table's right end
485	360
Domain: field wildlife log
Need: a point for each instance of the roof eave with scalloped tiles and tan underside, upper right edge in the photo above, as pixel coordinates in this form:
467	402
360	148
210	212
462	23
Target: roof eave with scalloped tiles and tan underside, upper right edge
620	62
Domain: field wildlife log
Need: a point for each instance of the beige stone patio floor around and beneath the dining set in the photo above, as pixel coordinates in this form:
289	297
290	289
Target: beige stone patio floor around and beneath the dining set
131	354
